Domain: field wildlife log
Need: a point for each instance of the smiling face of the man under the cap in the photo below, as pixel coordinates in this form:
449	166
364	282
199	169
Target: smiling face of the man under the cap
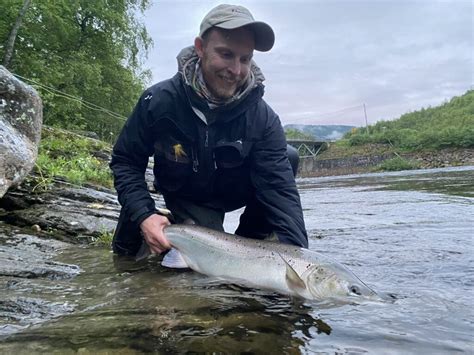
225	59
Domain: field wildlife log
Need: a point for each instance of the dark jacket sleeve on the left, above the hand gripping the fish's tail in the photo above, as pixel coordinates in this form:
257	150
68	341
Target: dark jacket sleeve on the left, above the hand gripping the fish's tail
129	161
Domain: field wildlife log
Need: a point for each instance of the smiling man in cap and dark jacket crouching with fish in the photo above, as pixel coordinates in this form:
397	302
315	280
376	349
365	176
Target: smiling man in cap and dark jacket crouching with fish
217	145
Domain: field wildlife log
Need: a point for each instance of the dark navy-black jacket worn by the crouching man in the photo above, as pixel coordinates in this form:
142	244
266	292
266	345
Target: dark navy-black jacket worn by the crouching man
240	151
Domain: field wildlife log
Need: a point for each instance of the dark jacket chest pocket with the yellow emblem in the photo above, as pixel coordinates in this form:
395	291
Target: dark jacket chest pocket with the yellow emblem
173	163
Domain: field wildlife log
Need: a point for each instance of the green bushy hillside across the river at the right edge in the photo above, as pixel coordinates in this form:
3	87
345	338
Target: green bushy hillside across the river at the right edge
449	125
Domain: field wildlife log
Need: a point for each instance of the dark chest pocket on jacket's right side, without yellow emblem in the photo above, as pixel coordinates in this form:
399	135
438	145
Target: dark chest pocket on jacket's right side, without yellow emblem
232	177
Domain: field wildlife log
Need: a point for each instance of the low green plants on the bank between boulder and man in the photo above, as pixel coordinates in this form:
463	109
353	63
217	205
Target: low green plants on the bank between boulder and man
75	158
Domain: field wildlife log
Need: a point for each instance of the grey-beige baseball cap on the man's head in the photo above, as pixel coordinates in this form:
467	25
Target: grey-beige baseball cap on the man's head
230	17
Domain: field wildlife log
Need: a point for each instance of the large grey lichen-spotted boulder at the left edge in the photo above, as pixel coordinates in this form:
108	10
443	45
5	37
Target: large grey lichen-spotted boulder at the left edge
21	117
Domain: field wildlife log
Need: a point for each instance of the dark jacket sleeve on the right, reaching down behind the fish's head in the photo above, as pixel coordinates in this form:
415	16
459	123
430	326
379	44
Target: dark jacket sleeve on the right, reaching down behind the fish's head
275	185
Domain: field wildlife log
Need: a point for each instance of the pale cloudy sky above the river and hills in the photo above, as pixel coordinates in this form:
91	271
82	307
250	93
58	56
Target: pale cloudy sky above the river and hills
331	57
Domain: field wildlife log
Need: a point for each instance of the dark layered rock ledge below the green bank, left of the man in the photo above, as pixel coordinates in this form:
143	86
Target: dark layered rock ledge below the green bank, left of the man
66	212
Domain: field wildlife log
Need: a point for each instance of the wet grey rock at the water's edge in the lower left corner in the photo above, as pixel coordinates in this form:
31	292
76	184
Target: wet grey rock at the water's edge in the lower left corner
24	259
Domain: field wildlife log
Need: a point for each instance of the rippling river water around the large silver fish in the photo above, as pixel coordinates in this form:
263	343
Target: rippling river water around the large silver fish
408	234
